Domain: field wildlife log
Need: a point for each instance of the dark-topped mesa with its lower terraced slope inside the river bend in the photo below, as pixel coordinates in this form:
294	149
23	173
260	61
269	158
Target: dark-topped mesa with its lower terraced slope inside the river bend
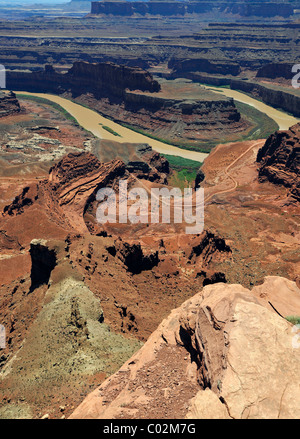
129	95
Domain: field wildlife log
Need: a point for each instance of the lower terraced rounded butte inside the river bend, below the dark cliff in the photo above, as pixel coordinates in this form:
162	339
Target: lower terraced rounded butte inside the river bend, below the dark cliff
194	119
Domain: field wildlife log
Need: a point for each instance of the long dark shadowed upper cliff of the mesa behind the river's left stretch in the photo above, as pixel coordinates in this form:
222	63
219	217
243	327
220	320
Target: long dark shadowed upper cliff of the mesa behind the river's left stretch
103	79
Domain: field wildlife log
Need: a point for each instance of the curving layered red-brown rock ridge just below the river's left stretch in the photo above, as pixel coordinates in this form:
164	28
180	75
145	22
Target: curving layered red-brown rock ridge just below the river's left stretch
74	181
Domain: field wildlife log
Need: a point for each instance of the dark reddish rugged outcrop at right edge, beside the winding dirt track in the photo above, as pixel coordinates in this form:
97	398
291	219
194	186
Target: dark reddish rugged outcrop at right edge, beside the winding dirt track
279	160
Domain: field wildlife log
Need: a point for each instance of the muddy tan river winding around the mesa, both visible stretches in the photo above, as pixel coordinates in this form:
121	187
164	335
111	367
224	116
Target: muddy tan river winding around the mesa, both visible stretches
93	122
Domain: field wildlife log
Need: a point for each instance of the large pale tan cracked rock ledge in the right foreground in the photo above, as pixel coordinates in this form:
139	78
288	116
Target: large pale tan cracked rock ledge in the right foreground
222	354
